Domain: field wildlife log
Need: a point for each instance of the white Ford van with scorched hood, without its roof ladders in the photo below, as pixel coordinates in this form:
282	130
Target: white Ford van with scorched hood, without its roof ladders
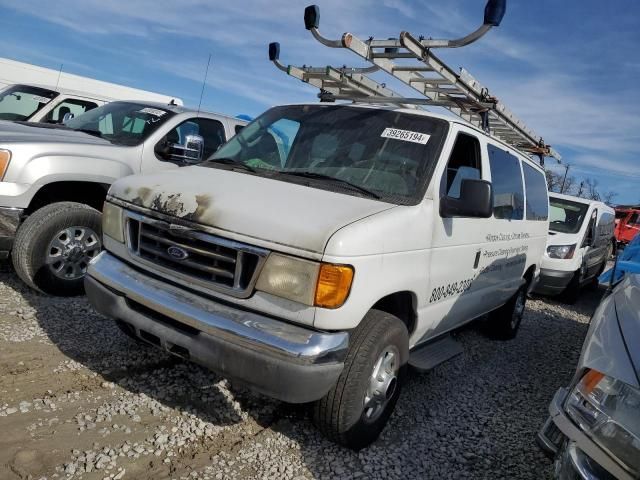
322	249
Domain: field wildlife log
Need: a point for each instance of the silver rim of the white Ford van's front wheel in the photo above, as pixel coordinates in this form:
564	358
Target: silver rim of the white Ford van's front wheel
382	383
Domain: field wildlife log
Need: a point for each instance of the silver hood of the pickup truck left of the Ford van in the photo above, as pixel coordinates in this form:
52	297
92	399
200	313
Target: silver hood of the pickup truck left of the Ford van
13	132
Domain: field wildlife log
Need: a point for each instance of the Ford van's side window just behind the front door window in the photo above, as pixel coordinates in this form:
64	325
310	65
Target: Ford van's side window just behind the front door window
506	178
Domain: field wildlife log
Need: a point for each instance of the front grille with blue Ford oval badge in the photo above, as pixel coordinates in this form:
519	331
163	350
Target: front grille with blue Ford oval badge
195	256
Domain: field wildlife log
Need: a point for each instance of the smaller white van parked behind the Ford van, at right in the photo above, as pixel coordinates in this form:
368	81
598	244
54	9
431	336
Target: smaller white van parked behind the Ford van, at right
581	241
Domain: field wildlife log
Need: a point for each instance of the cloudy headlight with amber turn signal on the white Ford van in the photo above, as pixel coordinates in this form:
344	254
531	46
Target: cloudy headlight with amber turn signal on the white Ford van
311	283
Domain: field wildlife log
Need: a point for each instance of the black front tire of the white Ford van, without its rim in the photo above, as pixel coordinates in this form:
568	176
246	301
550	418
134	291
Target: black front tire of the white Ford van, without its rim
341	415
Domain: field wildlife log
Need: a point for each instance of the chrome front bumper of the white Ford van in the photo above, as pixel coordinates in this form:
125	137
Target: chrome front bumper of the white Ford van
278	359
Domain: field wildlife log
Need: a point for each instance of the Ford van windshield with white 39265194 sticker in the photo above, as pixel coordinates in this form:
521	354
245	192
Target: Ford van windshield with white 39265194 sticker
377	153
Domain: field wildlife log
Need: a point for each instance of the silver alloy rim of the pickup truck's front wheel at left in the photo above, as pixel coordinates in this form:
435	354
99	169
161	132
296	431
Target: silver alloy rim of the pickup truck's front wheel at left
71	250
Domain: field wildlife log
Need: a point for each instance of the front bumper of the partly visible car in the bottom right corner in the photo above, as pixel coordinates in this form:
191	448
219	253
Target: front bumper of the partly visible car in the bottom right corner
577	456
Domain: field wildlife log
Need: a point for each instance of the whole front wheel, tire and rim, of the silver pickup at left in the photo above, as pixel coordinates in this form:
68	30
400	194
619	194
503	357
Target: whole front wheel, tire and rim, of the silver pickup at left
54	245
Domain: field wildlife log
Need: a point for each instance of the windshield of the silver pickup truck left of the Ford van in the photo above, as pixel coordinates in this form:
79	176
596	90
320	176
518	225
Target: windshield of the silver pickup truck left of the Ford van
121	123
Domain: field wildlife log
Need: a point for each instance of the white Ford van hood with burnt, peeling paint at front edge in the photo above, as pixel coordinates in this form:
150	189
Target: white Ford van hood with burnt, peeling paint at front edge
269	210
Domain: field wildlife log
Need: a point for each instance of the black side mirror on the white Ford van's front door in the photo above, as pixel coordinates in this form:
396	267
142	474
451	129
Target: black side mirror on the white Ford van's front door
476	200
